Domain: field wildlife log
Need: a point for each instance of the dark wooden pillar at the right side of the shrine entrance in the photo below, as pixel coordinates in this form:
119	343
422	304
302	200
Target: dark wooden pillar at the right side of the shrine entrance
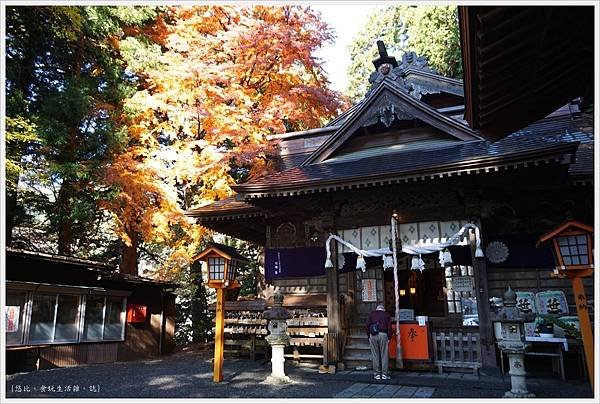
486	332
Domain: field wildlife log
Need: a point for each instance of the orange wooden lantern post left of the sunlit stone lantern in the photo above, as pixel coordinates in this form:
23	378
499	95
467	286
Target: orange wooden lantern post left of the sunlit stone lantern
223	262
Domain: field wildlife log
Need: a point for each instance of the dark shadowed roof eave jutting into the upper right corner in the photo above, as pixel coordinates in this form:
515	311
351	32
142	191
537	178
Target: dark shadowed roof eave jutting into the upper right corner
522	63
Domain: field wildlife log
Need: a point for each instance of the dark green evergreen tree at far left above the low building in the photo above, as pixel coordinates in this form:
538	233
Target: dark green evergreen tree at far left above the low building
65	86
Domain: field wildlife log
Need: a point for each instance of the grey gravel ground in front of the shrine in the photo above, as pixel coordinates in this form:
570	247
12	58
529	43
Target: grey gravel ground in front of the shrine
189	375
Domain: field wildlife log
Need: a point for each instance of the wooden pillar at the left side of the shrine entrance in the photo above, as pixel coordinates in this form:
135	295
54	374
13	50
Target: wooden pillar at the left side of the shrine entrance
334	326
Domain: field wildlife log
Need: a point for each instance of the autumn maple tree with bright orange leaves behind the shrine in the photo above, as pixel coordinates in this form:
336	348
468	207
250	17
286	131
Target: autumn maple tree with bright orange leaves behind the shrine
214	81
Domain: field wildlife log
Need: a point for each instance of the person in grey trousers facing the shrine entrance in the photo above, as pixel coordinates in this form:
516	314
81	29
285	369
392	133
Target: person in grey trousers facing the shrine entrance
379	332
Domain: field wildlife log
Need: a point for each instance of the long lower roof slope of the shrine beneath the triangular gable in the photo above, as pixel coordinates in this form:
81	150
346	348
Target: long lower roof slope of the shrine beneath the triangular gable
547	139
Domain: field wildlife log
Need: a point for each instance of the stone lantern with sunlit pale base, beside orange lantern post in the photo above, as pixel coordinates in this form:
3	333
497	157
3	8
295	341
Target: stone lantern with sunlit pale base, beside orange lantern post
277	338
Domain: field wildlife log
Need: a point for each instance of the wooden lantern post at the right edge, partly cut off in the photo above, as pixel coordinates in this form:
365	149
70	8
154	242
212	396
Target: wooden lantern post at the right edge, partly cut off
572	247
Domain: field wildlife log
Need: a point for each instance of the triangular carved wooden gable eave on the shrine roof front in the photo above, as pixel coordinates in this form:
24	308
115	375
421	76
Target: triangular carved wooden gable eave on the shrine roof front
387	103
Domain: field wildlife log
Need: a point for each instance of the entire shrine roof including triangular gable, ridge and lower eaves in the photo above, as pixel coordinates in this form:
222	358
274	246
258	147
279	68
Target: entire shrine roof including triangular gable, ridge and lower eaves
425	138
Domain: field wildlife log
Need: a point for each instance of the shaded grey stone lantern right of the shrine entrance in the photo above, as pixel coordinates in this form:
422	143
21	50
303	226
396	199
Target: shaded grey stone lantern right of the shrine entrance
513	344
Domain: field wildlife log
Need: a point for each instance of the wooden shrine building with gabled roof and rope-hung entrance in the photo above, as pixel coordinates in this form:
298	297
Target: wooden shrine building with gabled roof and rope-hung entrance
405	152
